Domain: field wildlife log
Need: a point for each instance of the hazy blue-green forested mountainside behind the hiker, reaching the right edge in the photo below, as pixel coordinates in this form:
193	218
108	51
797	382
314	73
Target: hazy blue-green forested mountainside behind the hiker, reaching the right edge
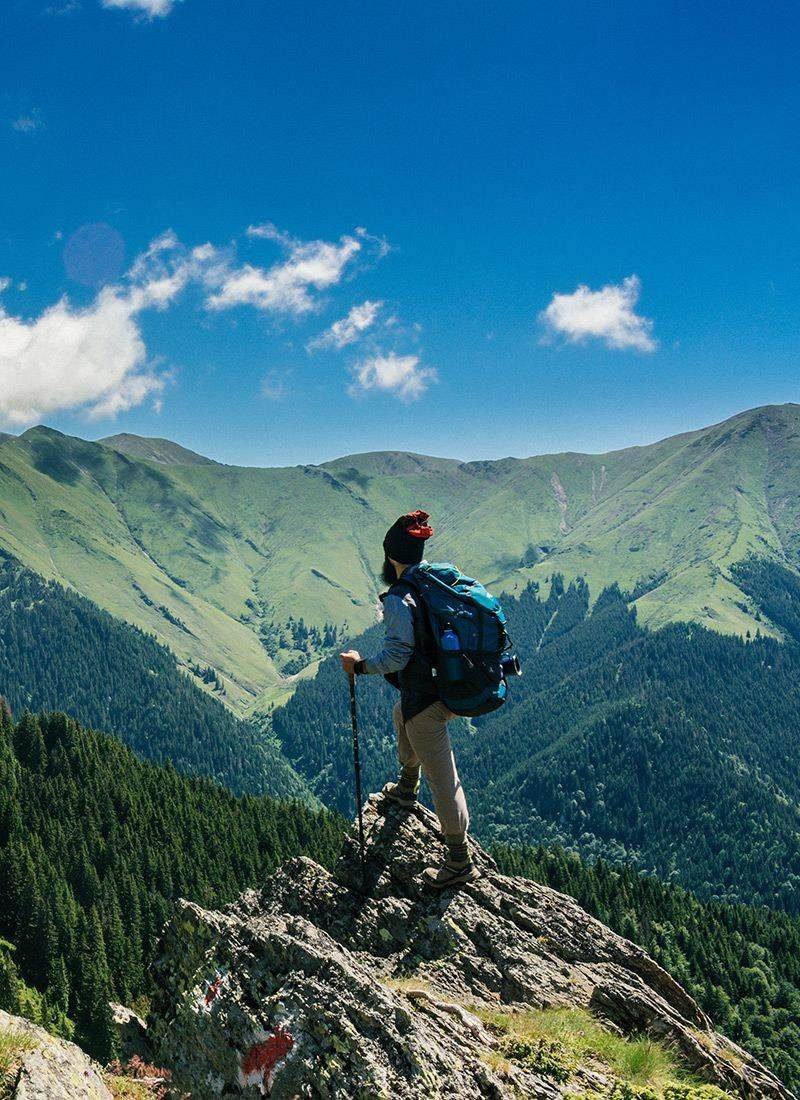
677	750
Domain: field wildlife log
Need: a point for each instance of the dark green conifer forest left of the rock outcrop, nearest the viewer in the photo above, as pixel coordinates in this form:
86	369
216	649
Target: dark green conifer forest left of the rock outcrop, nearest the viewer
96	845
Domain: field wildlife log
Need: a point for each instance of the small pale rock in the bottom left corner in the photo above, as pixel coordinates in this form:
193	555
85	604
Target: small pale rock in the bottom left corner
52	1069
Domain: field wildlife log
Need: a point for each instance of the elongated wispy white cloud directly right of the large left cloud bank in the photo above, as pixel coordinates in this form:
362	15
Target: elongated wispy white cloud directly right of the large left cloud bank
288	287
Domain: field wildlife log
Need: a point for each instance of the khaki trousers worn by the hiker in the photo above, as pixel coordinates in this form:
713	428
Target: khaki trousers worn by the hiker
424	741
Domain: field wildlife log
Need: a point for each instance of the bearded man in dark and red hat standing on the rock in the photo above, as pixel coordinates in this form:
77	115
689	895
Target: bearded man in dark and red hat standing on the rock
420	717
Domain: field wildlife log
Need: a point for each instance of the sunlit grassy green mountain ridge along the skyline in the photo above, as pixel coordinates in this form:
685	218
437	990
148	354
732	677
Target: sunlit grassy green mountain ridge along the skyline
255	571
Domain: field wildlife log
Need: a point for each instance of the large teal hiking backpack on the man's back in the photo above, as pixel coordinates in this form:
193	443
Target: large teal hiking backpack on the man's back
469	639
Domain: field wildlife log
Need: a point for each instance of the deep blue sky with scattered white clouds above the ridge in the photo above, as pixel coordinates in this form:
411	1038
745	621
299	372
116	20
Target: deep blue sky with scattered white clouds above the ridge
539	229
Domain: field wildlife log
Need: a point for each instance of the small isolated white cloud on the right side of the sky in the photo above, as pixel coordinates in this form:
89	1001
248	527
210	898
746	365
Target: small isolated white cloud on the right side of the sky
606	315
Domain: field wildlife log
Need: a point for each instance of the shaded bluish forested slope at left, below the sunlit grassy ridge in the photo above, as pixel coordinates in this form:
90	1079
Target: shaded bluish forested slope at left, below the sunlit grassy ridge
58	651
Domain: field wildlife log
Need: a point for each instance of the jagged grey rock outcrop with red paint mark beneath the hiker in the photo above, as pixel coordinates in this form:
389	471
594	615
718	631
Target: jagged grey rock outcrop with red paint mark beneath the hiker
292	991
